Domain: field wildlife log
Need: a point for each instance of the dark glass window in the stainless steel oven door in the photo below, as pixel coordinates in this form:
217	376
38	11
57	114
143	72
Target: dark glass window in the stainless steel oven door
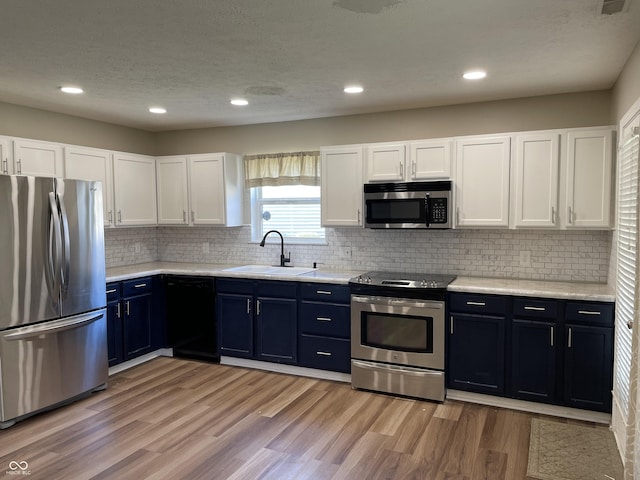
398	332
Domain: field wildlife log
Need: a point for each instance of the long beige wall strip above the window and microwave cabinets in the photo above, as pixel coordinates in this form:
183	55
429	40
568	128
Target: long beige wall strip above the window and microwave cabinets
534	113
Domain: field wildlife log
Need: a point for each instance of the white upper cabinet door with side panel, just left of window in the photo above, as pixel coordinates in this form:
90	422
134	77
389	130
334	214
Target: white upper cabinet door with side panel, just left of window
216	189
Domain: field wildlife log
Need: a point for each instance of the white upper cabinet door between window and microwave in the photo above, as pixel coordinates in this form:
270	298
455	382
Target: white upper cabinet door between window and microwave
341	186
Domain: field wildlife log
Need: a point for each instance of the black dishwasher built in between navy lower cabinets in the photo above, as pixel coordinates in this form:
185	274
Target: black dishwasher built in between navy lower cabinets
191	319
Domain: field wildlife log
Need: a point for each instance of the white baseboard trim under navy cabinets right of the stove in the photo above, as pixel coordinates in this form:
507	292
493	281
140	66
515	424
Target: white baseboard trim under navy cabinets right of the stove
532	407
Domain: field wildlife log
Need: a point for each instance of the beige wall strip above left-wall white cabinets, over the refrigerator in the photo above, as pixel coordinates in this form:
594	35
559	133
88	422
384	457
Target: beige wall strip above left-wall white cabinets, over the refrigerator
18	121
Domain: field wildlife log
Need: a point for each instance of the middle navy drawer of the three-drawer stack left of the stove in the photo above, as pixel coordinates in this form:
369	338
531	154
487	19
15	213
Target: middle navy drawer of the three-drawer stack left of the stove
325	319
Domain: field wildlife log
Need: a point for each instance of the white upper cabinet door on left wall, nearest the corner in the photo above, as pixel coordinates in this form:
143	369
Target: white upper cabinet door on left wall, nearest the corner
135	189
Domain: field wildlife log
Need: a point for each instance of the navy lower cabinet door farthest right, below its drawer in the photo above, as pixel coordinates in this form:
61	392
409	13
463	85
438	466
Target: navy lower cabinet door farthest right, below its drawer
588	367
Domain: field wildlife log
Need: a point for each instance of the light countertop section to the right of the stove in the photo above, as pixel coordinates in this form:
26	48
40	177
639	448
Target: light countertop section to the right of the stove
595	292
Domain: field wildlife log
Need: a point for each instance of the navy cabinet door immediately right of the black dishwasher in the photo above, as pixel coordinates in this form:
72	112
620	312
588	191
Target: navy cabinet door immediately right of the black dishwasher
235	324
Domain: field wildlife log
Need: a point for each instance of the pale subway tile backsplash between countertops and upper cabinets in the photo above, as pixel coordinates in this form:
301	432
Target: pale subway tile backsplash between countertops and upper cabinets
541	255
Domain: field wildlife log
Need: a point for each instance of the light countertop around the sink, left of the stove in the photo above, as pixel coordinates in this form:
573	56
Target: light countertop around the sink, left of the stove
318	275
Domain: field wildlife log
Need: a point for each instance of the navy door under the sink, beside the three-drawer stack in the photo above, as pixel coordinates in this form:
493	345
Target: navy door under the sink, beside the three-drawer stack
277	331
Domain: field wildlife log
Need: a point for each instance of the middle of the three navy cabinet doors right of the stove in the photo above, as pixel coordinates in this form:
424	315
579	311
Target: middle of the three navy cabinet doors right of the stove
533	355
